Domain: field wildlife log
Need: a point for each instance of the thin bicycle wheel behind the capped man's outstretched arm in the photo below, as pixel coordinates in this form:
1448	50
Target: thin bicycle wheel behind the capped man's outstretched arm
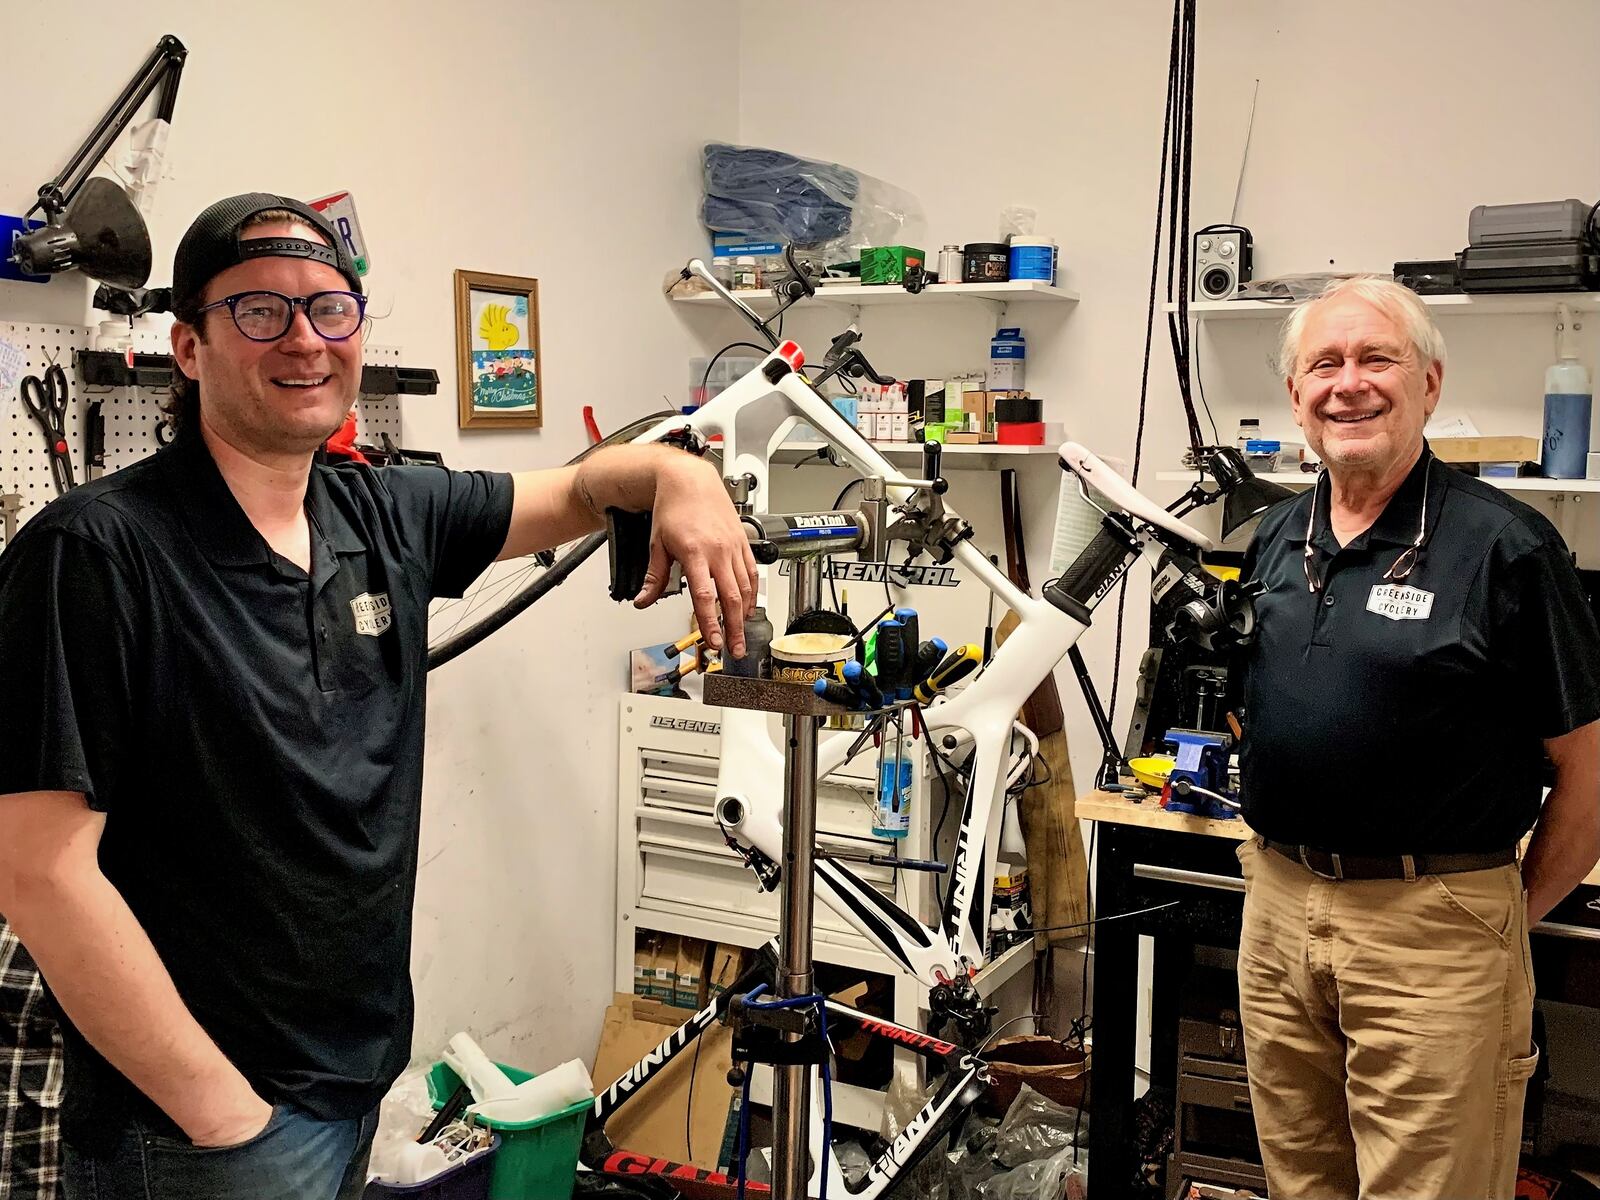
516	585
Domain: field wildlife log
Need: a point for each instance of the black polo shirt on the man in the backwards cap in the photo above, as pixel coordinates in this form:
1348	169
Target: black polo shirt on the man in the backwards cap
255	740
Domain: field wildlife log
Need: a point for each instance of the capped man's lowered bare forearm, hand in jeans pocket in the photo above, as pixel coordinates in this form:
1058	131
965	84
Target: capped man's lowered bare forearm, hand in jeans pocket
111	983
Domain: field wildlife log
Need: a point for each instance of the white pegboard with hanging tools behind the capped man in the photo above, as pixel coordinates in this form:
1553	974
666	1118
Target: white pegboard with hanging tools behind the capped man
132	414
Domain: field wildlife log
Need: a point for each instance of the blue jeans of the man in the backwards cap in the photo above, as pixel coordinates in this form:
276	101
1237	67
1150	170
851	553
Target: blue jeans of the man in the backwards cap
297	1158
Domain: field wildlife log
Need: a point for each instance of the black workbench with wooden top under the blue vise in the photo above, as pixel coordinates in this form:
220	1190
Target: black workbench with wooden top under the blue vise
1146	857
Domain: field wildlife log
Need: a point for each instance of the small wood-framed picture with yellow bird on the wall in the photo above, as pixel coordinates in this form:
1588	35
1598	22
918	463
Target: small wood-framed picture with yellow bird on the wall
498	366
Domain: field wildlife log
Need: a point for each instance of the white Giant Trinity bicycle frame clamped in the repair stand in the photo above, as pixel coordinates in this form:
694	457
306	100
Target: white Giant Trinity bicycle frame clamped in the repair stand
753	418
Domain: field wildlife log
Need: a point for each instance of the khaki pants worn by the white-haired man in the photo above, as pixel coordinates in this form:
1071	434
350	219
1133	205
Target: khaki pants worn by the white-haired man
1388	1031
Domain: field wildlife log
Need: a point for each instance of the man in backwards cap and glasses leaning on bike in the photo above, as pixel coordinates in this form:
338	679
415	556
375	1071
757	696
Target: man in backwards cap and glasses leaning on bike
210	777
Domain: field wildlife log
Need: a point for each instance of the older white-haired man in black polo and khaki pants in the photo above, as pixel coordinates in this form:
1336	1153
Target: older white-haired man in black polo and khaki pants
1425	646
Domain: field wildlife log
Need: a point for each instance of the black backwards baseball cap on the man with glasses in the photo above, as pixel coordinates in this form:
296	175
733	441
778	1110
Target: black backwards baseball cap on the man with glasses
214	244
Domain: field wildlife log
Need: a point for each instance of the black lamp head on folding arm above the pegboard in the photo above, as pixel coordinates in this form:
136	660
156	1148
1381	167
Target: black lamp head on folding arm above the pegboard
102	234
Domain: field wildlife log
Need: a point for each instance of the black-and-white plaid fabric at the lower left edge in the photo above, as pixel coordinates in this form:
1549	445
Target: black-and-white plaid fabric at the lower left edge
30	1079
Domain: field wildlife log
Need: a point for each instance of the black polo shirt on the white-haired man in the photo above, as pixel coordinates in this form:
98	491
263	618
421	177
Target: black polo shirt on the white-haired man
1406	719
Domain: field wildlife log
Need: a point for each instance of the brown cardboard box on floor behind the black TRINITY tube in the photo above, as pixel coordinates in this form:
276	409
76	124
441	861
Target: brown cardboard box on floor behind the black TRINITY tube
654	1124
